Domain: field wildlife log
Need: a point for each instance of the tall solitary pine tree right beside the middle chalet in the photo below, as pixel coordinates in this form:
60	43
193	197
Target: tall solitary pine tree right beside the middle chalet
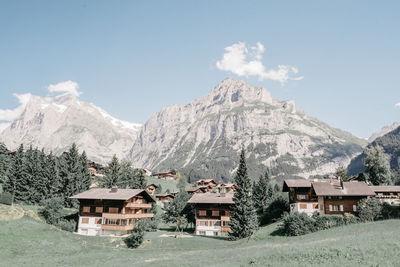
244	217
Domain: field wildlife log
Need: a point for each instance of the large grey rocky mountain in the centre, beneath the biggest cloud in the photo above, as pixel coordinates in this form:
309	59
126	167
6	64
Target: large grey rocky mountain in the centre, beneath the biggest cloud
204	137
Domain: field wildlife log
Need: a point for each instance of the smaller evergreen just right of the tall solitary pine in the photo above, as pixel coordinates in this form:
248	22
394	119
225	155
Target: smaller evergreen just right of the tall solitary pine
262	192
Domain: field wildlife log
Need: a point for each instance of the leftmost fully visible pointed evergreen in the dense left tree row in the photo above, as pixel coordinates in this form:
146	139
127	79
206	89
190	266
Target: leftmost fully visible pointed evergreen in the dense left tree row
17	183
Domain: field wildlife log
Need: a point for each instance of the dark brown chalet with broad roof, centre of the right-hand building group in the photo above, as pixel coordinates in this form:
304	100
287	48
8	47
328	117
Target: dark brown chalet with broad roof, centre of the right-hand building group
336	197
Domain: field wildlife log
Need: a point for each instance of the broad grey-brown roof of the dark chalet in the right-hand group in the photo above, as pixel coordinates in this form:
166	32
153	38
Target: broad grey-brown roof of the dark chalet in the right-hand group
335	189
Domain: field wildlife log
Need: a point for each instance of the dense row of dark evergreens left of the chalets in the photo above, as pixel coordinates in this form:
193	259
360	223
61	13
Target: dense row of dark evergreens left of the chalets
31	176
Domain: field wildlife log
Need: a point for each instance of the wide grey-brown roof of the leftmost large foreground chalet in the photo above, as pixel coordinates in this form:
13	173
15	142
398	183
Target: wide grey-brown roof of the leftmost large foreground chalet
106	193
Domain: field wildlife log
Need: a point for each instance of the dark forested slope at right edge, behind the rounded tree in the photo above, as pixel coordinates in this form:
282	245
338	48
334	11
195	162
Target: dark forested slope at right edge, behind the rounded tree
390	143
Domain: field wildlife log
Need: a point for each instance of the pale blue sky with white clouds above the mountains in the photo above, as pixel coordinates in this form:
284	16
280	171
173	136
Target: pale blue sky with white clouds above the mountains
338	60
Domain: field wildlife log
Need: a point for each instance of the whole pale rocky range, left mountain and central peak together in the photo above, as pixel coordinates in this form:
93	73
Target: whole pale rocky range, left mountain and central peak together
200	139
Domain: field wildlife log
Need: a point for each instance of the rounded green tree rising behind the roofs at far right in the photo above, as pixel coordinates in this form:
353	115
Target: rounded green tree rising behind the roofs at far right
377	166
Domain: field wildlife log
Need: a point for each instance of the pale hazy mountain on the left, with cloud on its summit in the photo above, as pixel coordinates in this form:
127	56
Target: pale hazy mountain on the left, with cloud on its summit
56	122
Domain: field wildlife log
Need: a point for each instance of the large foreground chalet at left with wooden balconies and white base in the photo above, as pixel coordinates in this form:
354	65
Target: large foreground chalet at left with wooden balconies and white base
112	211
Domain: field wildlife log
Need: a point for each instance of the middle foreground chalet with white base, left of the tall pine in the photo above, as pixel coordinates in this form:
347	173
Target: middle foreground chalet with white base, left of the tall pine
212	211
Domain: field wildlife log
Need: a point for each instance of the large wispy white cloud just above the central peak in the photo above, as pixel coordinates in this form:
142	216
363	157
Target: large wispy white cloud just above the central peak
244	61
